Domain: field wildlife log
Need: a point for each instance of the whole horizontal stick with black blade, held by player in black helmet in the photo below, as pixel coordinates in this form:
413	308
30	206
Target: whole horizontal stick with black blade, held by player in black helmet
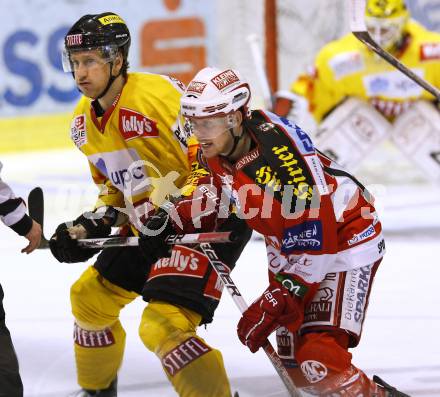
36	212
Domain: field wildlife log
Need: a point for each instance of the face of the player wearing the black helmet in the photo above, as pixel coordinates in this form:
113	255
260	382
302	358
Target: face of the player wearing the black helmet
91	72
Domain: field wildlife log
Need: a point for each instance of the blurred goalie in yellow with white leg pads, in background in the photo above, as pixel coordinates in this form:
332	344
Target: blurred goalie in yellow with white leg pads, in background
358	99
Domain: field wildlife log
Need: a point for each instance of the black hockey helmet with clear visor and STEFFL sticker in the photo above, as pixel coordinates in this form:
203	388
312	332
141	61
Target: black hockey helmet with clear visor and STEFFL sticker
106	31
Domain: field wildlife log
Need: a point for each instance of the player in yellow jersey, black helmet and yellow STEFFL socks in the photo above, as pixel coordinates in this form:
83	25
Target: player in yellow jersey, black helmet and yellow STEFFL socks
126	124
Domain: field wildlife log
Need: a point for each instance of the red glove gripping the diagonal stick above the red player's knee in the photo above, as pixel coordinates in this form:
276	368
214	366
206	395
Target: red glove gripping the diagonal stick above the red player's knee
275	307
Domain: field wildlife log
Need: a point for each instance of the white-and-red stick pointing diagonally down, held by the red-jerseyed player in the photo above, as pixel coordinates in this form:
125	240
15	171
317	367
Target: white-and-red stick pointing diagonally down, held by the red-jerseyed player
224	275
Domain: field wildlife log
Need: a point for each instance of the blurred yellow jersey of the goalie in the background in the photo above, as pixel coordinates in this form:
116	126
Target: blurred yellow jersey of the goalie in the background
347	68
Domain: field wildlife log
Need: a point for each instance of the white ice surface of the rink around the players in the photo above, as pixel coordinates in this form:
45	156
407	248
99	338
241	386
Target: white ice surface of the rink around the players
400	340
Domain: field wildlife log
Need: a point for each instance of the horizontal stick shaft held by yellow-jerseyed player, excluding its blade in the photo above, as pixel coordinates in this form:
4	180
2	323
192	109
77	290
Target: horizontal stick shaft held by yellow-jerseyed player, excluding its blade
194	238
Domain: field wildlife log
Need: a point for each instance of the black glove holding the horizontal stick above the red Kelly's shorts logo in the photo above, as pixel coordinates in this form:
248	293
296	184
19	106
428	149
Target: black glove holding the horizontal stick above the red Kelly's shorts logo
151	242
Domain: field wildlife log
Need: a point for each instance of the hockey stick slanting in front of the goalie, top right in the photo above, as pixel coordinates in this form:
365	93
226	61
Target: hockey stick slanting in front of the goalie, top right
359	30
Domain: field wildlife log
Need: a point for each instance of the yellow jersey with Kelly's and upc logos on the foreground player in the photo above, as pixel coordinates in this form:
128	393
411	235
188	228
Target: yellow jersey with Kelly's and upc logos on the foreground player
137	154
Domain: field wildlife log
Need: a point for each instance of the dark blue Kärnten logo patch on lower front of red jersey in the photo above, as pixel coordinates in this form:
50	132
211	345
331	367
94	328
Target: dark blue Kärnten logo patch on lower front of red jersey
306	236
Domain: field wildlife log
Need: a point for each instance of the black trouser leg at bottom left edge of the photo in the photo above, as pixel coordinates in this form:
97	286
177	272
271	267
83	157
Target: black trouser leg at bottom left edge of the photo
10	381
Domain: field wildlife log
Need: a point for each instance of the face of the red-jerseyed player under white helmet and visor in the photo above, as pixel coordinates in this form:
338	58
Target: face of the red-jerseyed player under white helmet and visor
213	134
